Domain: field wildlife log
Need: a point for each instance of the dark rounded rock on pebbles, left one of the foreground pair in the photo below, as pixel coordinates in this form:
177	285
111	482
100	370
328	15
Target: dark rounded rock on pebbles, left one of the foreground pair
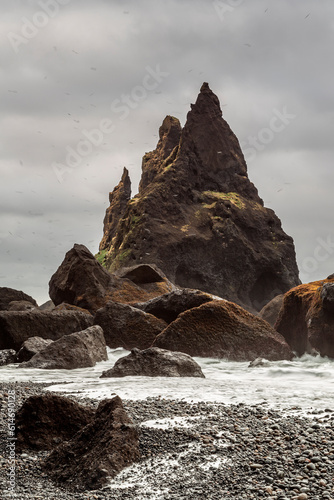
45	421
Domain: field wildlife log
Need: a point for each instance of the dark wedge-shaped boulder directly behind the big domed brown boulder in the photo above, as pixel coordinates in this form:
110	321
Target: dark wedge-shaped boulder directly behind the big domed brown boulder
169	305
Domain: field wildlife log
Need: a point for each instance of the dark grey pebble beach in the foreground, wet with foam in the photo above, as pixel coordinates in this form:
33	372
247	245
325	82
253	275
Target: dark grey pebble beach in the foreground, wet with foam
195	451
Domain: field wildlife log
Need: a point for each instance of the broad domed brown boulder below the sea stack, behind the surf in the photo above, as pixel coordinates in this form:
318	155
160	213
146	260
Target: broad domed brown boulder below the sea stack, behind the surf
222	329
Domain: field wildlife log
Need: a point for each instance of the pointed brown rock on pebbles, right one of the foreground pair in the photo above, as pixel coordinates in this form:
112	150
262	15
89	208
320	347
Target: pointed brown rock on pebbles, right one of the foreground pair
99	451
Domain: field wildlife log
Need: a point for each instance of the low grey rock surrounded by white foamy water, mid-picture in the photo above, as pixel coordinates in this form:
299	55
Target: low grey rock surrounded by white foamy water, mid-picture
155	362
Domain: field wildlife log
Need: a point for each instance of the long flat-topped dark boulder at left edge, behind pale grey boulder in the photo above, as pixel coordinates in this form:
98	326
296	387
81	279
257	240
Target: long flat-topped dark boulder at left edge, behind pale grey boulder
18	326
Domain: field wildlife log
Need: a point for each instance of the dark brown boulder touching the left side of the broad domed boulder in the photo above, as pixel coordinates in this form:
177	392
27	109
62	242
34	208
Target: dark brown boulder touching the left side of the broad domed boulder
128	327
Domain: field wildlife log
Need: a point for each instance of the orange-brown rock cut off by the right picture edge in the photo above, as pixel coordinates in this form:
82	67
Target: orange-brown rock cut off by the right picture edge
306	319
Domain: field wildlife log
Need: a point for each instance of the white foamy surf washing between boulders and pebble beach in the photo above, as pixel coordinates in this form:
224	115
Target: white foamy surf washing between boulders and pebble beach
303	385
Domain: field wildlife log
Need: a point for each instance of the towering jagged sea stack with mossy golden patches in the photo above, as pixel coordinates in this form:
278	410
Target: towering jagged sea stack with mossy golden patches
198	217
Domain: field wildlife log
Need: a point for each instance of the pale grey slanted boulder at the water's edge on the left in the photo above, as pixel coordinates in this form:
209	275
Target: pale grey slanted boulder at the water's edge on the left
76	350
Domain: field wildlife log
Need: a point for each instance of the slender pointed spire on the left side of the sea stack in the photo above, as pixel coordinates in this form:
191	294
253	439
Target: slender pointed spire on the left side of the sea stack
118	200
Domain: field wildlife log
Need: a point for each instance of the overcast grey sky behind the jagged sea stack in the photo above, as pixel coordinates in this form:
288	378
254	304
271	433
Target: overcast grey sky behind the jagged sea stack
85	85
